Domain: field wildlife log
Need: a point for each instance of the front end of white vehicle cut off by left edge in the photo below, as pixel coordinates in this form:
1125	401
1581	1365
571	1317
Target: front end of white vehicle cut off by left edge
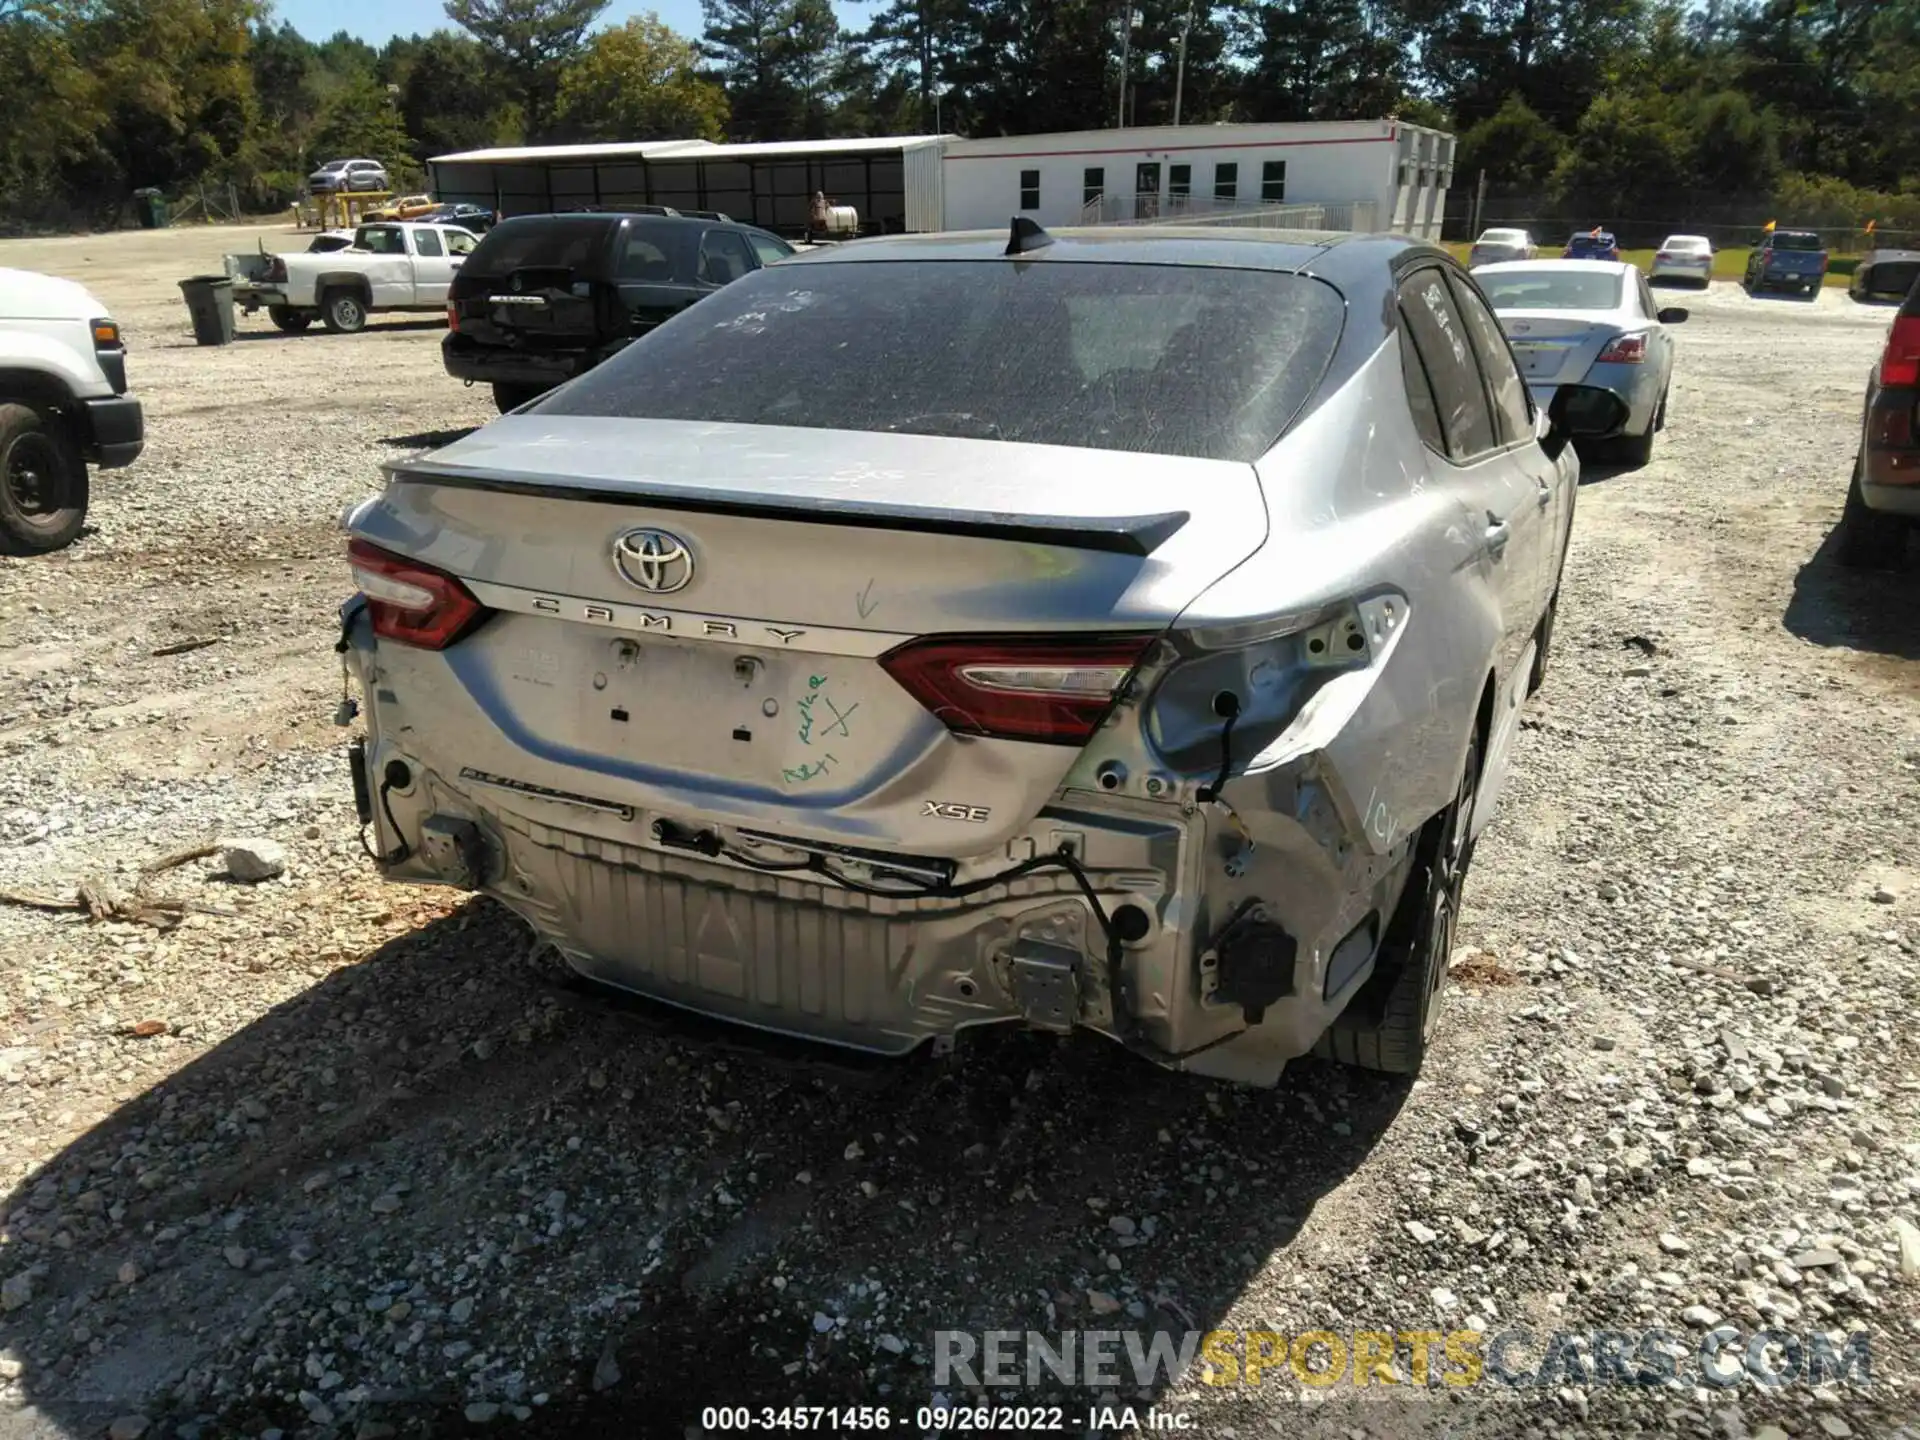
62	404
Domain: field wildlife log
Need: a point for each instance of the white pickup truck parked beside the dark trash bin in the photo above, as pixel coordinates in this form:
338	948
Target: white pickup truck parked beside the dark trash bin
391	266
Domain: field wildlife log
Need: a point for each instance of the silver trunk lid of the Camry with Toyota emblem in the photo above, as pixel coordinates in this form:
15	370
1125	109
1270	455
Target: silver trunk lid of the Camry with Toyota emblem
752	692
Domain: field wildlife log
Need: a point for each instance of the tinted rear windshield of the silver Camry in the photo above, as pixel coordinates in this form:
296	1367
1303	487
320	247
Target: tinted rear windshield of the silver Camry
1145	358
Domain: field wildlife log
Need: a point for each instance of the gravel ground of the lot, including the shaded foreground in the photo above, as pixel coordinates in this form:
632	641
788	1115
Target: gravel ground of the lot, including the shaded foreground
333	1159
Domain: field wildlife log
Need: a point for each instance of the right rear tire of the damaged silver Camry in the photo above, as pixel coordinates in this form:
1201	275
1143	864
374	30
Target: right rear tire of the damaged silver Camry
1418	948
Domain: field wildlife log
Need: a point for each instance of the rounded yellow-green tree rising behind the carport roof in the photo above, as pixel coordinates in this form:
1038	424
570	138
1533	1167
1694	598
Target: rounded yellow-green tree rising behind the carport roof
640	84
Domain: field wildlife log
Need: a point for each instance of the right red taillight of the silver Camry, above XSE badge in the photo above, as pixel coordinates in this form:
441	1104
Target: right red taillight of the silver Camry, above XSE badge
1047	690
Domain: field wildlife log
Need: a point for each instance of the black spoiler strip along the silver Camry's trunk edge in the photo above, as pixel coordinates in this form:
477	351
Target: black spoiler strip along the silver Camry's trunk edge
1116	535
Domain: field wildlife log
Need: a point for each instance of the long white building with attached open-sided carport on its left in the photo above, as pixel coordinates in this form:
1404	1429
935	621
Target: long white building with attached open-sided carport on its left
1341	176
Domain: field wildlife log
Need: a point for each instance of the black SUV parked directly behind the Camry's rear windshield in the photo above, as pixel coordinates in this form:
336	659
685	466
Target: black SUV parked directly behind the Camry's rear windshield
550	297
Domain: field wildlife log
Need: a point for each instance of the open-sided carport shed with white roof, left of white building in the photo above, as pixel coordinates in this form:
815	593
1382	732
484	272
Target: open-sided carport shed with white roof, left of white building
892	181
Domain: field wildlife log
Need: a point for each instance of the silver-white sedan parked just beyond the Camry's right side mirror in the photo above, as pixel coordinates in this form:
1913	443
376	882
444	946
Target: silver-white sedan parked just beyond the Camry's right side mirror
1589	324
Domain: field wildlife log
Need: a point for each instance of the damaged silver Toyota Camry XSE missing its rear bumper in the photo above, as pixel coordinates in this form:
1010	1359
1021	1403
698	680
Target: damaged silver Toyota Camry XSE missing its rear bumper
1111	629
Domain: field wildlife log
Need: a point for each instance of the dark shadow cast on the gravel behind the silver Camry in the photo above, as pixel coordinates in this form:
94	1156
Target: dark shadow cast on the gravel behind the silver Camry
450	1176
